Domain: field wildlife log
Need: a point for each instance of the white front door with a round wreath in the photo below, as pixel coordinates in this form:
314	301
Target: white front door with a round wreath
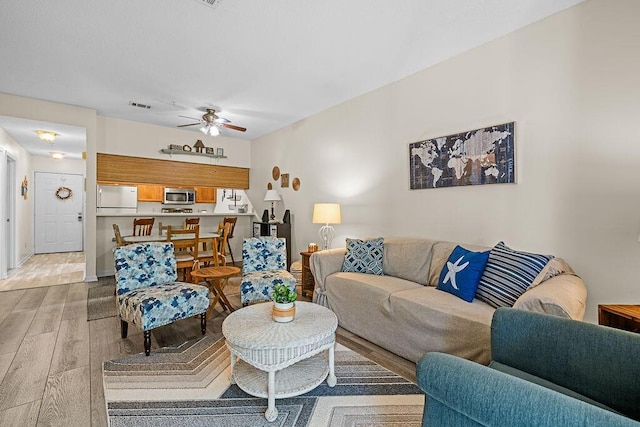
59	200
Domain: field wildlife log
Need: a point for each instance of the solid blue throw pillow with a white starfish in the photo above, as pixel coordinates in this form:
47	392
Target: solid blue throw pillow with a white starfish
461	273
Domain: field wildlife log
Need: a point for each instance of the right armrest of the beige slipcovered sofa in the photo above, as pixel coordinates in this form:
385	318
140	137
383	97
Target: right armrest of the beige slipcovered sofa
564	295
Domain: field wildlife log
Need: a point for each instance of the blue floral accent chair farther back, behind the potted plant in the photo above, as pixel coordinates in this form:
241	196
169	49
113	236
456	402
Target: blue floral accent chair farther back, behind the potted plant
264	262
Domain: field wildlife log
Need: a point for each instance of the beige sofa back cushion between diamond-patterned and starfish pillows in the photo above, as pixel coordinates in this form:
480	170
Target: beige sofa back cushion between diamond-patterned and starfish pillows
408	258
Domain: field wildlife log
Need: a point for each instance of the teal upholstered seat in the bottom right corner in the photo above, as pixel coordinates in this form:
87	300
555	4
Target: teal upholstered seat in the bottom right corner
545	371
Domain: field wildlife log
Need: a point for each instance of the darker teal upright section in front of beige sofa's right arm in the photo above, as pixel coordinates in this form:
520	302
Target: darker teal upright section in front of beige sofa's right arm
594	361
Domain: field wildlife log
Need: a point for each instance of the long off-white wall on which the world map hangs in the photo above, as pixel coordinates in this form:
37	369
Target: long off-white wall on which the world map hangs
569	81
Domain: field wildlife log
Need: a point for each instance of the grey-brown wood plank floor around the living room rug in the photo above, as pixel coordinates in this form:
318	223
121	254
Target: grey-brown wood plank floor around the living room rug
51	356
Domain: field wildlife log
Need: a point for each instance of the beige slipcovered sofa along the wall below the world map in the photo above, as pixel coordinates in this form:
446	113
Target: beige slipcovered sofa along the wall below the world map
404	313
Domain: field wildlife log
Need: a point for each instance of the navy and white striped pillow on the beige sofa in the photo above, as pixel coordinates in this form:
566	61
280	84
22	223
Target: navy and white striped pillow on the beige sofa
508	274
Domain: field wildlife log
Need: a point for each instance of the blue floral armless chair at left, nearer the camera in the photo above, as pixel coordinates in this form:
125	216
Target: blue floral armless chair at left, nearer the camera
148	293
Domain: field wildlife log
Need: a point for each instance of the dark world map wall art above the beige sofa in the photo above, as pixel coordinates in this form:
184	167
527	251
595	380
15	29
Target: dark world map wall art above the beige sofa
481	156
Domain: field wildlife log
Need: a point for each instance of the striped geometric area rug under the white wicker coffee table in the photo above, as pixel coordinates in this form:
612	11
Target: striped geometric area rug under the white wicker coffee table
189	385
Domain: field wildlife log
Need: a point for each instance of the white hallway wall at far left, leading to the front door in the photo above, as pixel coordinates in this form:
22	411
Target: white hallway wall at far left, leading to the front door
24	207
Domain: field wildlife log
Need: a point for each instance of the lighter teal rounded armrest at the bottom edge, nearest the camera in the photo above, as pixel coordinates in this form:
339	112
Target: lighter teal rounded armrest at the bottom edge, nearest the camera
464	393
